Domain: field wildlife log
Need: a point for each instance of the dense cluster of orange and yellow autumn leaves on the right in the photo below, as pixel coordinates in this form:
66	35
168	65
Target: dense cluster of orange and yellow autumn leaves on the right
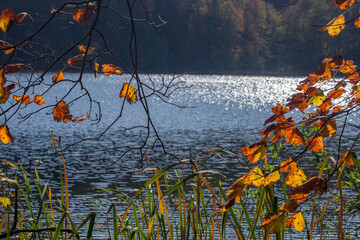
308	119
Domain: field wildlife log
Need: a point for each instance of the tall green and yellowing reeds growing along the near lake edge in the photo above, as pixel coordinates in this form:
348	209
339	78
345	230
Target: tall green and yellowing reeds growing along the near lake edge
172	204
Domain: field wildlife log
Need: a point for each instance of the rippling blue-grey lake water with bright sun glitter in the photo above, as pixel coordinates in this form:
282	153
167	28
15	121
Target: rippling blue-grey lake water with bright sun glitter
221	112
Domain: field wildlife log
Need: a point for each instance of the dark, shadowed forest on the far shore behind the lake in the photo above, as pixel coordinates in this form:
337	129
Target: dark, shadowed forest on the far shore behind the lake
213	36
